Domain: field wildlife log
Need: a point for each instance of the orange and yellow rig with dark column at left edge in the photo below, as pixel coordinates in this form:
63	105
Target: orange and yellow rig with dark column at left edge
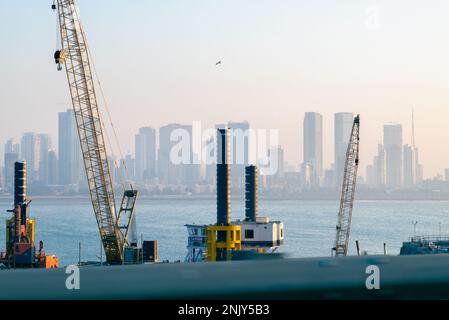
20	230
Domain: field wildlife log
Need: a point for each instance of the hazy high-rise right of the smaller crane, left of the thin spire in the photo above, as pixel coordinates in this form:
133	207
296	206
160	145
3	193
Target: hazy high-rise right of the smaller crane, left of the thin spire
393	154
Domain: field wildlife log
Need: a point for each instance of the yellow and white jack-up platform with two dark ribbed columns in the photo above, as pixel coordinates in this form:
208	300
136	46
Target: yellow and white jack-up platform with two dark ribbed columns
227	238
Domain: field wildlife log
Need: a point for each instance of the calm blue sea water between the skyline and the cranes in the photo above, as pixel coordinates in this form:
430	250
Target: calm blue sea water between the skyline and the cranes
309	225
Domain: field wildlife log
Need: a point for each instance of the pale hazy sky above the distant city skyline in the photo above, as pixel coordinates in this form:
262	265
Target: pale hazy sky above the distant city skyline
281	58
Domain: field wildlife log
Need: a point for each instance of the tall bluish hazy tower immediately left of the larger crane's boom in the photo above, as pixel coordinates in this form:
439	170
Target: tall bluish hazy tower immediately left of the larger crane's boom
70	157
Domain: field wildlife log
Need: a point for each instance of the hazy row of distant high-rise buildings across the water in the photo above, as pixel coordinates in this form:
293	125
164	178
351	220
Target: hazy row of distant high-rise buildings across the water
153	148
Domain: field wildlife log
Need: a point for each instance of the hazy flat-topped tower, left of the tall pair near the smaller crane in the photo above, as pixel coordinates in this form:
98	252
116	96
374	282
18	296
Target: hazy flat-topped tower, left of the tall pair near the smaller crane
313	147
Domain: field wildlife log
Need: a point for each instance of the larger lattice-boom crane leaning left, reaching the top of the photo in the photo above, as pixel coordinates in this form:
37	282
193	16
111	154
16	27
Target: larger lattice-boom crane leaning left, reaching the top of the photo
74	54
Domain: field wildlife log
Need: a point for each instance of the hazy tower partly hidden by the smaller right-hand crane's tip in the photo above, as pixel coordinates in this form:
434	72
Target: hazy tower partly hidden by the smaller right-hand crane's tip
342	131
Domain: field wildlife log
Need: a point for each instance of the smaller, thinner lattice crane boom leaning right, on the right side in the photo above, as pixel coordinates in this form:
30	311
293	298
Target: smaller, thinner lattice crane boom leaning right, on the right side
348	191
